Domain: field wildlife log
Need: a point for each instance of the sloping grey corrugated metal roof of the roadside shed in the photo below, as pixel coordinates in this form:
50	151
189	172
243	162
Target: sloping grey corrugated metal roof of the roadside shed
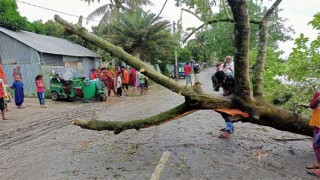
48	44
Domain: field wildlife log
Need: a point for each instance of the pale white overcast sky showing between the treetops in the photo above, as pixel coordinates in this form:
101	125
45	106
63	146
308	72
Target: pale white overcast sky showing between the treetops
299	13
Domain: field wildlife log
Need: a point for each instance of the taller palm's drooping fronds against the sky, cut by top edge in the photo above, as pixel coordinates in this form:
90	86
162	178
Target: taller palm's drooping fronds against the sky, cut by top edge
110	10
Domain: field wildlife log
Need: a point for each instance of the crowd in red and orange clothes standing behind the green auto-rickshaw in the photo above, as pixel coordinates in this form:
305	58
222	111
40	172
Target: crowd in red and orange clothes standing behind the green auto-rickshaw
118	79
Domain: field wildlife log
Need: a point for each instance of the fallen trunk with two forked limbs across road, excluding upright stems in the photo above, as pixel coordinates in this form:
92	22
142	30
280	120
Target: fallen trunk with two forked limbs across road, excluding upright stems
261	112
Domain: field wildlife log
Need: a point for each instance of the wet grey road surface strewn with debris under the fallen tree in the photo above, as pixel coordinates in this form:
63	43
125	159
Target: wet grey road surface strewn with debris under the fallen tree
40	143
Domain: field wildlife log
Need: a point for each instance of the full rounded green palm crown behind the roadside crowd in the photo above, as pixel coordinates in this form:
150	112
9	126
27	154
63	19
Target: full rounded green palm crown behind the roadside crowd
142	34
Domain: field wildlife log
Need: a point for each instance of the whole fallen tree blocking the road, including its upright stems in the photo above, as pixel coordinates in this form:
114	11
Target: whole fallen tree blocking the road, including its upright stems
261	111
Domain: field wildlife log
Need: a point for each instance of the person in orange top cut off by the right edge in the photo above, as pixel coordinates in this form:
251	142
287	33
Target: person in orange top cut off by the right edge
315	123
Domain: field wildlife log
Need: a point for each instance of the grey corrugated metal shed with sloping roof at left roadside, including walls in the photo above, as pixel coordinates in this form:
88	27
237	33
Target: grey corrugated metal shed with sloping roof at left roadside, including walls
38	54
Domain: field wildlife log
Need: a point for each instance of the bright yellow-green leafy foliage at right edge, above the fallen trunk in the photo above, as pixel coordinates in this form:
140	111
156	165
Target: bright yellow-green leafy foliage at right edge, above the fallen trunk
303	69
